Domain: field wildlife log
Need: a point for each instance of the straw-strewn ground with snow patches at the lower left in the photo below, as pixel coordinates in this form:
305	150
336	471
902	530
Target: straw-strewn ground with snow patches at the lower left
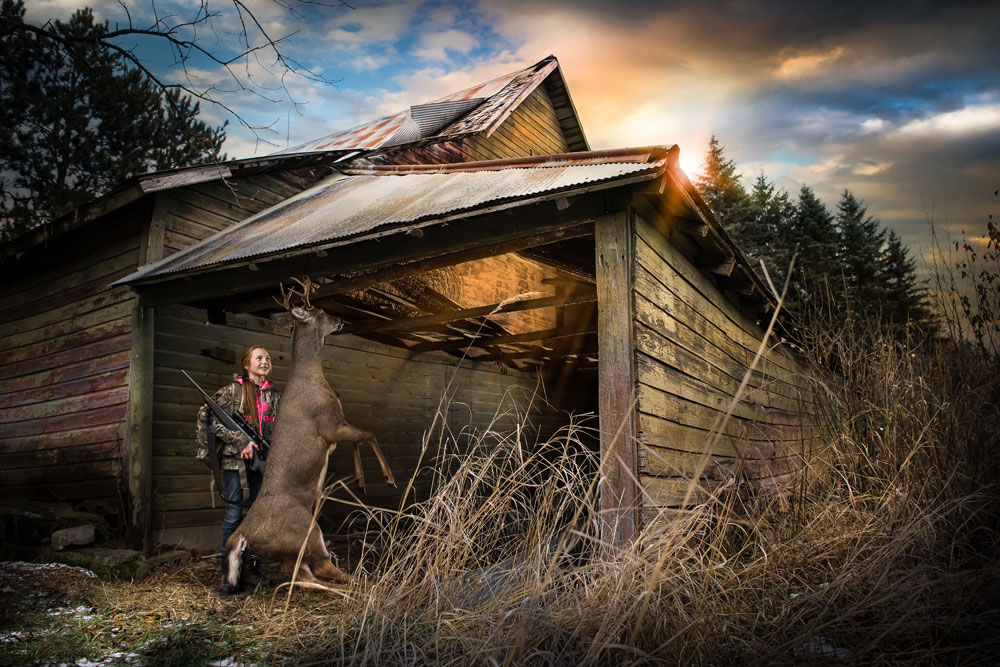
59	615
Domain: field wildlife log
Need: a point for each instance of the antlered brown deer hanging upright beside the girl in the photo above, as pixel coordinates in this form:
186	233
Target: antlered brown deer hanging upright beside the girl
309	426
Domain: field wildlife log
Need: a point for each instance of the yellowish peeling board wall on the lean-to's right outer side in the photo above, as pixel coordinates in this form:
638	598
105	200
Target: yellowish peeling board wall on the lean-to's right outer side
692	349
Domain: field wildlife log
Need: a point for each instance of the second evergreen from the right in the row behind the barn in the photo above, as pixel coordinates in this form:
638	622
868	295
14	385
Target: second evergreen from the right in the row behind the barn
860	240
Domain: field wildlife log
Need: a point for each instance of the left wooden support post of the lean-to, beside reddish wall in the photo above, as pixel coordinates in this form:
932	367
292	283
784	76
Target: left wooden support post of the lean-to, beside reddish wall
138	454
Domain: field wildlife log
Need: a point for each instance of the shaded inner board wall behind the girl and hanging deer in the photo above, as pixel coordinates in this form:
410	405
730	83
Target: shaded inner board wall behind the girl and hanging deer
389	391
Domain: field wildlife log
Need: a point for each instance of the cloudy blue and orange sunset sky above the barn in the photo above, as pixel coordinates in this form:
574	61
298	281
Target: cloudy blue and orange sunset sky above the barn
898	102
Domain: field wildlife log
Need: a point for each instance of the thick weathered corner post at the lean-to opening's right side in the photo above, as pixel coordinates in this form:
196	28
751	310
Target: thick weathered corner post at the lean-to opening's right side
614	248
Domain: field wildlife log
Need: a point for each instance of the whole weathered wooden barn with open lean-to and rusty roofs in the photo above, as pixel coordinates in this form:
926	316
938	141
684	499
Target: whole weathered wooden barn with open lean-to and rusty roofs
474	244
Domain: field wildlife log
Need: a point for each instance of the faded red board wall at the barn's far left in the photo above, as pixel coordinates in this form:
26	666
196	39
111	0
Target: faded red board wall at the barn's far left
64	357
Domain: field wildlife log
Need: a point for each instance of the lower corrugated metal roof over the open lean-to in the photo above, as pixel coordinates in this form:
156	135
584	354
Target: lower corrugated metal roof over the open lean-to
359	201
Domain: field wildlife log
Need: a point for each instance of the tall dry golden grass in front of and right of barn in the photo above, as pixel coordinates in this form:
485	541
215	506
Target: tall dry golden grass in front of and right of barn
893	560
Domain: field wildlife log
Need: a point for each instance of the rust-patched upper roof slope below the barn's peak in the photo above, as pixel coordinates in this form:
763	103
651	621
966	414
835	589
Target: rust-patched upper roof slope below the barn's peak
446	116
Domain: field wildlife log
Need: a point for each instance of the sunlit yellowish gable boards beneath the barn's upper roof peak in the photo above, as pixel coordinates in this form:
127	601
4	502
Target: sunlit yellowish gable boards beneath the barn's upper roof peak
531	129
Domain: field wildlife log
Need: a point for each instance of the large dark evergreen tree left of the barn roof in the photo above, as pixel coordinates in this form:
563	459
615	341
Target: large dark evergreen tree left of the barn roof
77	126
